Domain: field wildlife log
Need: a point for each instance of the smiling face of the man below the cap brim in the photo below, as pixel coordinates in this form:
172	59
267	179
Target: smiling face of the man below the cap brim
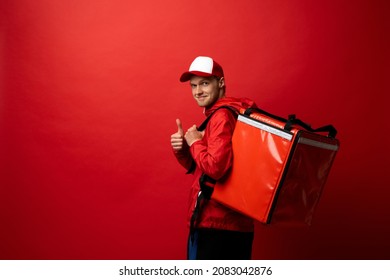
206	91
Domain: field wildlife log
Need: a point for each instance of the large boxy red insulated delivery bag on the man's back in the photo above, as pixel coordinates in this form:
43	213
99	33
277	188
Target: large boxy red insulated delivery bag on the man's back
279	169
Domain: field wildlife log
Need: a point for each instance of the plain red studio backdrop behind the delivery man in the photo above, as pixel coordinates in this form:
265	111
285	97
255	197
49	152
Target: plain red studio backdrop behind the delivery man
89	97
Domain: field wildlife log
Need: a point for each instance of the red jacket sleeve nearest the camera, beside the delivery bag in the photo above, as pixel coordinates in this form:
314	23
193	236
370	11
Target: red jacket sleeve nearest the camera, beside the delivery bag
213	154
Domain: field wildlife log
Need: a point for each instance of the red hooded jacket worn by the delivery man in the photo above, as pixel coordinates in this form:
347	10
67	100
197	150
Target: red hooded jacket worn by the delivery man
213	156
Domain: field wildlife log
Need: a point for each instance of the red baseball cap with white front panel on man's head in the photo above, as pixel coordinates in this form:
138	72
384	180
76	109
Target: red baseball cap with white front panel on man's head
202	66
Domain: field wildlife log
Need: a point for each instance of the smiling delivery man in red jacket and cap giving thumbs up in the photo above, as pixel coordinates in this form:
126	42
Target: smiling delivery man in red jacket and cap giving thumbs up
216	232
